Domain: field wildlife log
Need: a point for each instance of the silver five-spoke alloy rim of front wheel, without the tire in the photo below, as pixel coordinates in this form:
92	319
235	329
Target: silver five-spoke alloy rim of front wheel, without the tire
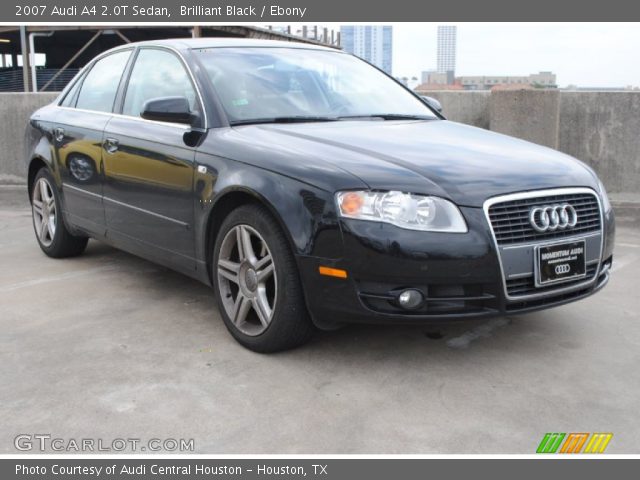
247	280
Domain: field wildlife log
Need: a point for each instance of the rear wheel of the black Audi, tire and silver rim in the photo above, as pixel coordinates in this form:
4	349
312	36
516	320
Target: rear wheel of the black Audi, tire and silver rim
46	210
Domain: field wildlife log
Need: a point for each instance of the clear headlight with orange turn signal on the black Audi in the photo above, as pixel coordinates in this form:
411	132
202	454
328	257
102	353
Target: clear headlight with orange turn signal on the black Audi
404	210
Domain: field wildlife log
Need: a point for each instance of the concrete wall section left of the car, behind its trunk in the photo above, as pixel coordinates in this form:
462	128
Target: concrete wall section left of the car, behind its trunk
15	110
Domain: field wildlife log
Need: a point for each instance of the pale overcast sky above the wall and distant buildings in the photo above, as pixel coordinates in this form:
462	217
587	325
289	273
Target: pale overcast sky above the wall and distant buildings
583	54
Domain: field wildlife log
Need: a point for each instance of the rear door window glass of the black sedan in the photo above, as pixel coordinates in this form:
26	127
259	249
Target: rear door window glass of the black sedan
99	88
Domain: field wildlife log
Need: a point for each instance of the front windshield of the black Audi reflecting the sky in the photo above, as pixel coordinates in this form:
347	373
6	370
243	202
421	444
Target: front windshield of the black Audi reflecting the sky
269	83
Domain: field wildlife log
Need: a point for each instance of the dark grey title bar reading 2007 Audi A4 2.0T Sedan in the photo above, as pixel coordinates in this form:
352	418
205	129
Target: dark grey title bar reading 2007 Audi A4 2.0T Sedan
247	11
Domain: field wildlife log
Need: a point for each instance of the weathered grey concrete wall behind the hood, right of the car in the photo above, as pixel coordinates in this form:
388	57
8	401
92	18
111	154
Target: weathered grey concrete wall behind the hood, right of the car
600	128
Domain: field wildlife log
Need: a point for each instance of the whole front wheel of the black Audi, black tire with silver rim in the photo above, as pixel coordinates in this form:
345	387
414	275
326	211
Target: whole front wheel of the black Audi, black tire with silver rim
256	283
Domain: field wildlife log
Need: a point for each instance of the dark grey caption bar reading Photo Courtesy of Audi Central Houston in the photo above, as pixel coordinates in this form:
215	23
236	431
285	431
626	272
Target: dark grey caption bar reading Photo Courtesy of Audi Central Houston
315	468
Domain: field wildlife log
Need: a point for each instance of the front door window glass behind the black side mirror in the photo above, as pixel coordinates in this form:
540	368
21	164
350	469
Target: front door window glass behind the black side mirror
157	73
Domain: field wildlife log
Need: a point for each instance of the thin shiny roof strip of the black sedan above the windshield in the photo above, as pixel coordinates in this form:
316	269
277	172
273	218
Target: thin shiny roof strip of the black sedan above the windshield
200	43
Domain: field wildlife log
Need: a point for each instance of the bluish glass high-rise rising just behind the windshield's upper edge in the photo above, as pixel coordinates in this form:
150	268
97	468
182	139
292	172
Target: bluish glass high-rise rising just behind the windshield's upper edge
372	43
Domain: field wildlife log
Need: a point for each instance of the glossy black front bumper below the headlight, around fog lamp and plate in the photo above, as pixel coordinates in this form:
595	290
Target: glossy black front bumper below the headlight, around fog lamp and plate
460	275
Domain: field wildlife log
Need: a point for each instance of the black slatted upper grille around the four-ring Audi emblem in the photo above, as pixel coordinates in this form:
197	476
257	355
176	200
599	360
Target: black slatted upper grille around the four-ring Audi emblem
510	219
